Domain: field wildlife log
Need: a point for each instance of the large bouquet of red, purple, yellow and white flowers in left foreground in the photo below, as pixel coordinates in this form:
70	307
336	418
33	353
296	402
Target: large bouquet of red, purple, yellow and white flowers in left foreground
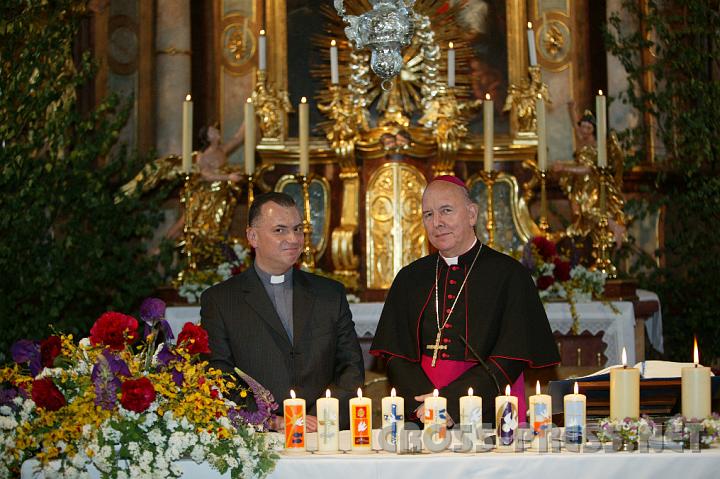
126	410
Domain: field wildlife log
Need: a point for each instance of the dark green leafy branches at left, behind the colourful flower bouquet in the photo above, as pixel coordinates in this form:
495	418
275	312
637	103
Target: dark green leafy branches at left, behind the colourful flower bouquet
67	251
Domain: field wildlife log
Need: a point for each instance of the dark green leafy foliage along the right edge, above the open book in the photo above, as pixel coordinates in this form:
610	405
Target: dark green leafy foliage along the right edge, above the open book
685	40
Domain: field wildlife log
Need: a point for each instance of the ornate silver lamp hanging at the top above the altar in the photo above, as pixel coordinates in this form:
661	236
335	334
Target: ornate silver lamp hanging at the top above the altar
385	30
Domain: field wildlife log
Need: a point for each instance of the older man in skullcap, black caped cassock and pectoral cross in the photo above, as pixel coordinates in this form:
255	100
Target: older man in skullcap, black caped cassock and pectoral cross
466	291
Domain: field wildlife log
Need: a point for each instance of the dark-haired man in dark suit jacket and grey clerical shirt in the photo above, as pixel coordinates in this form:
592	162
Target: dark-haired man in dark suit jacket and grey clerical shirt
284	327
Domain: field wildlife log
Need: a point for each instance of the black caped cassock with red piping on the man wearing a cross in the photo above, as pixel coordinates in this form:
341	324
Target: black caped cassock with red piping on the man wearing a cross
499	312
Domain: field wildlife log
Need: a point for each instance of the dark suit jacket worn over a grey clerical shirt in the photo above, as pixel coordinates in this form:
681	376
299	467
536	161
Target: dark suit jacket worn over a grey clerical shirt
245	331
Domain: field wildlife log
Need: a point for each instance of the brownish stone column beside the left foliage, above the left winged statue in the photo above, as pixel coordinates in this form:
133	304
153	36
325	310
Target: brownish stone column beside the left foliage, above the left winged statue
172	72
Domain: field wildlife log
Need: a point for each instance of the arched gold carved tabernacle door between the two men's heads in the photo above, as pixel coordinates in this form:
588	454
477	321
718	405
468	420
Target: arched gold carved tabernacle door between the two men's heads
394	232
